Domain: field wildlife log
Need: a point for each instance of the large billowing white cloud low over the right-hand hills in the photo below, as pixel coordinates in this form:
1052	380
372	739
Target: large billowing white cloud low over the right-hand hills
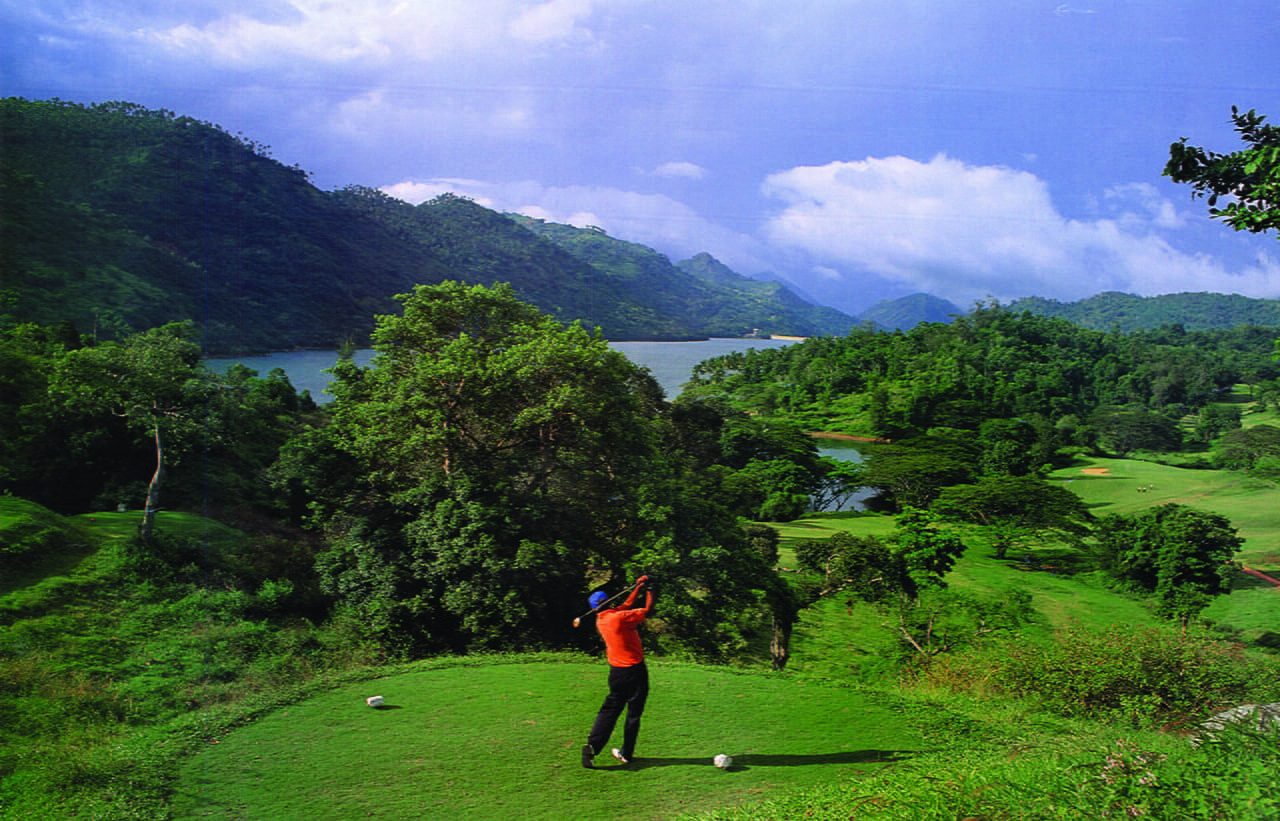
967	232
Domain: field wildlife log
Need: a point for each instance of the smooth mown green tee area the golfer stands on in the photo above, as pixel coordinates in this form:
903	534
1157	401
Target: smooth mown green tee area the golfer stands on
504	741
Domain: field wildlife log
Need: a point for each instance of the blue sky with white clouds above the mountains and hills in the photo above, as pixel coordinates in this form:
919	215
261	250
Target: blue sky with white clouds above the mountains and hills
861	149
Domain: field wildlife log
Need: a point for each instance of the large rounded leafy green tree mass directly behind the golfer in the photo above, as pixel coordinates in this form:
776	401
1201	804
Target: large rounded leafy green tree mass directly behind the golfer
492	467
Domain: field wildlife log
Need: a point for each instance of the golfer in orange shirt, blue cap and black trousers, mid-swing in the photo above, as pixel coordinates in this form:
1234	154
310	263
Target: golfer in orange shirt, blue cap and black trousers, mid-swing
629	678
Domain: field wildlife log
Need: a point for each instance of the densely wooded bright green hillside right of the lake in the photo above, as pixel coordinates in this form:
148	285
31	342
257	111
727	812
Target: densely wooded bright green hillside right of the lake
993	364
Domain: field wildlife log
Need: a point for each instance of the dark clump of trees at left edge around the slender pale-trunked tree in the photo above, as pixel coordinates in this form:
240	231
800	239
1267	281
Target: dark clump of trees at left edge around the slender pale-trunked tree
89	425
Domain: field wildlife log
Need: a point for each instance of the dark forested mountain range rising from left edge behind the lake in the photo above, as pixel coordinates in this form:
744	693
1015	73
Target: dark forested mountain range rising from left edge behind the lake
117	218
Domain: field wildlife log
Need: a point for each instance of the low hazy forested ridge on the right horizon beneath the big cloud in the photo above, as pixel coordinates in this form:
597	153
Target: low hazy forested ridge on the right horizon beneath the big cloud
1128	313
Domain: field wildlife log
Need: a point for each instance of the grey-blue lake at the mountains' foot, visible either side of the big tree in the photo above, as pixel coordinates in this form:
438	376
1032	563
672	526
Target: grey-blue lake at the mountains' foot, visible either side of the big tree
671	363
